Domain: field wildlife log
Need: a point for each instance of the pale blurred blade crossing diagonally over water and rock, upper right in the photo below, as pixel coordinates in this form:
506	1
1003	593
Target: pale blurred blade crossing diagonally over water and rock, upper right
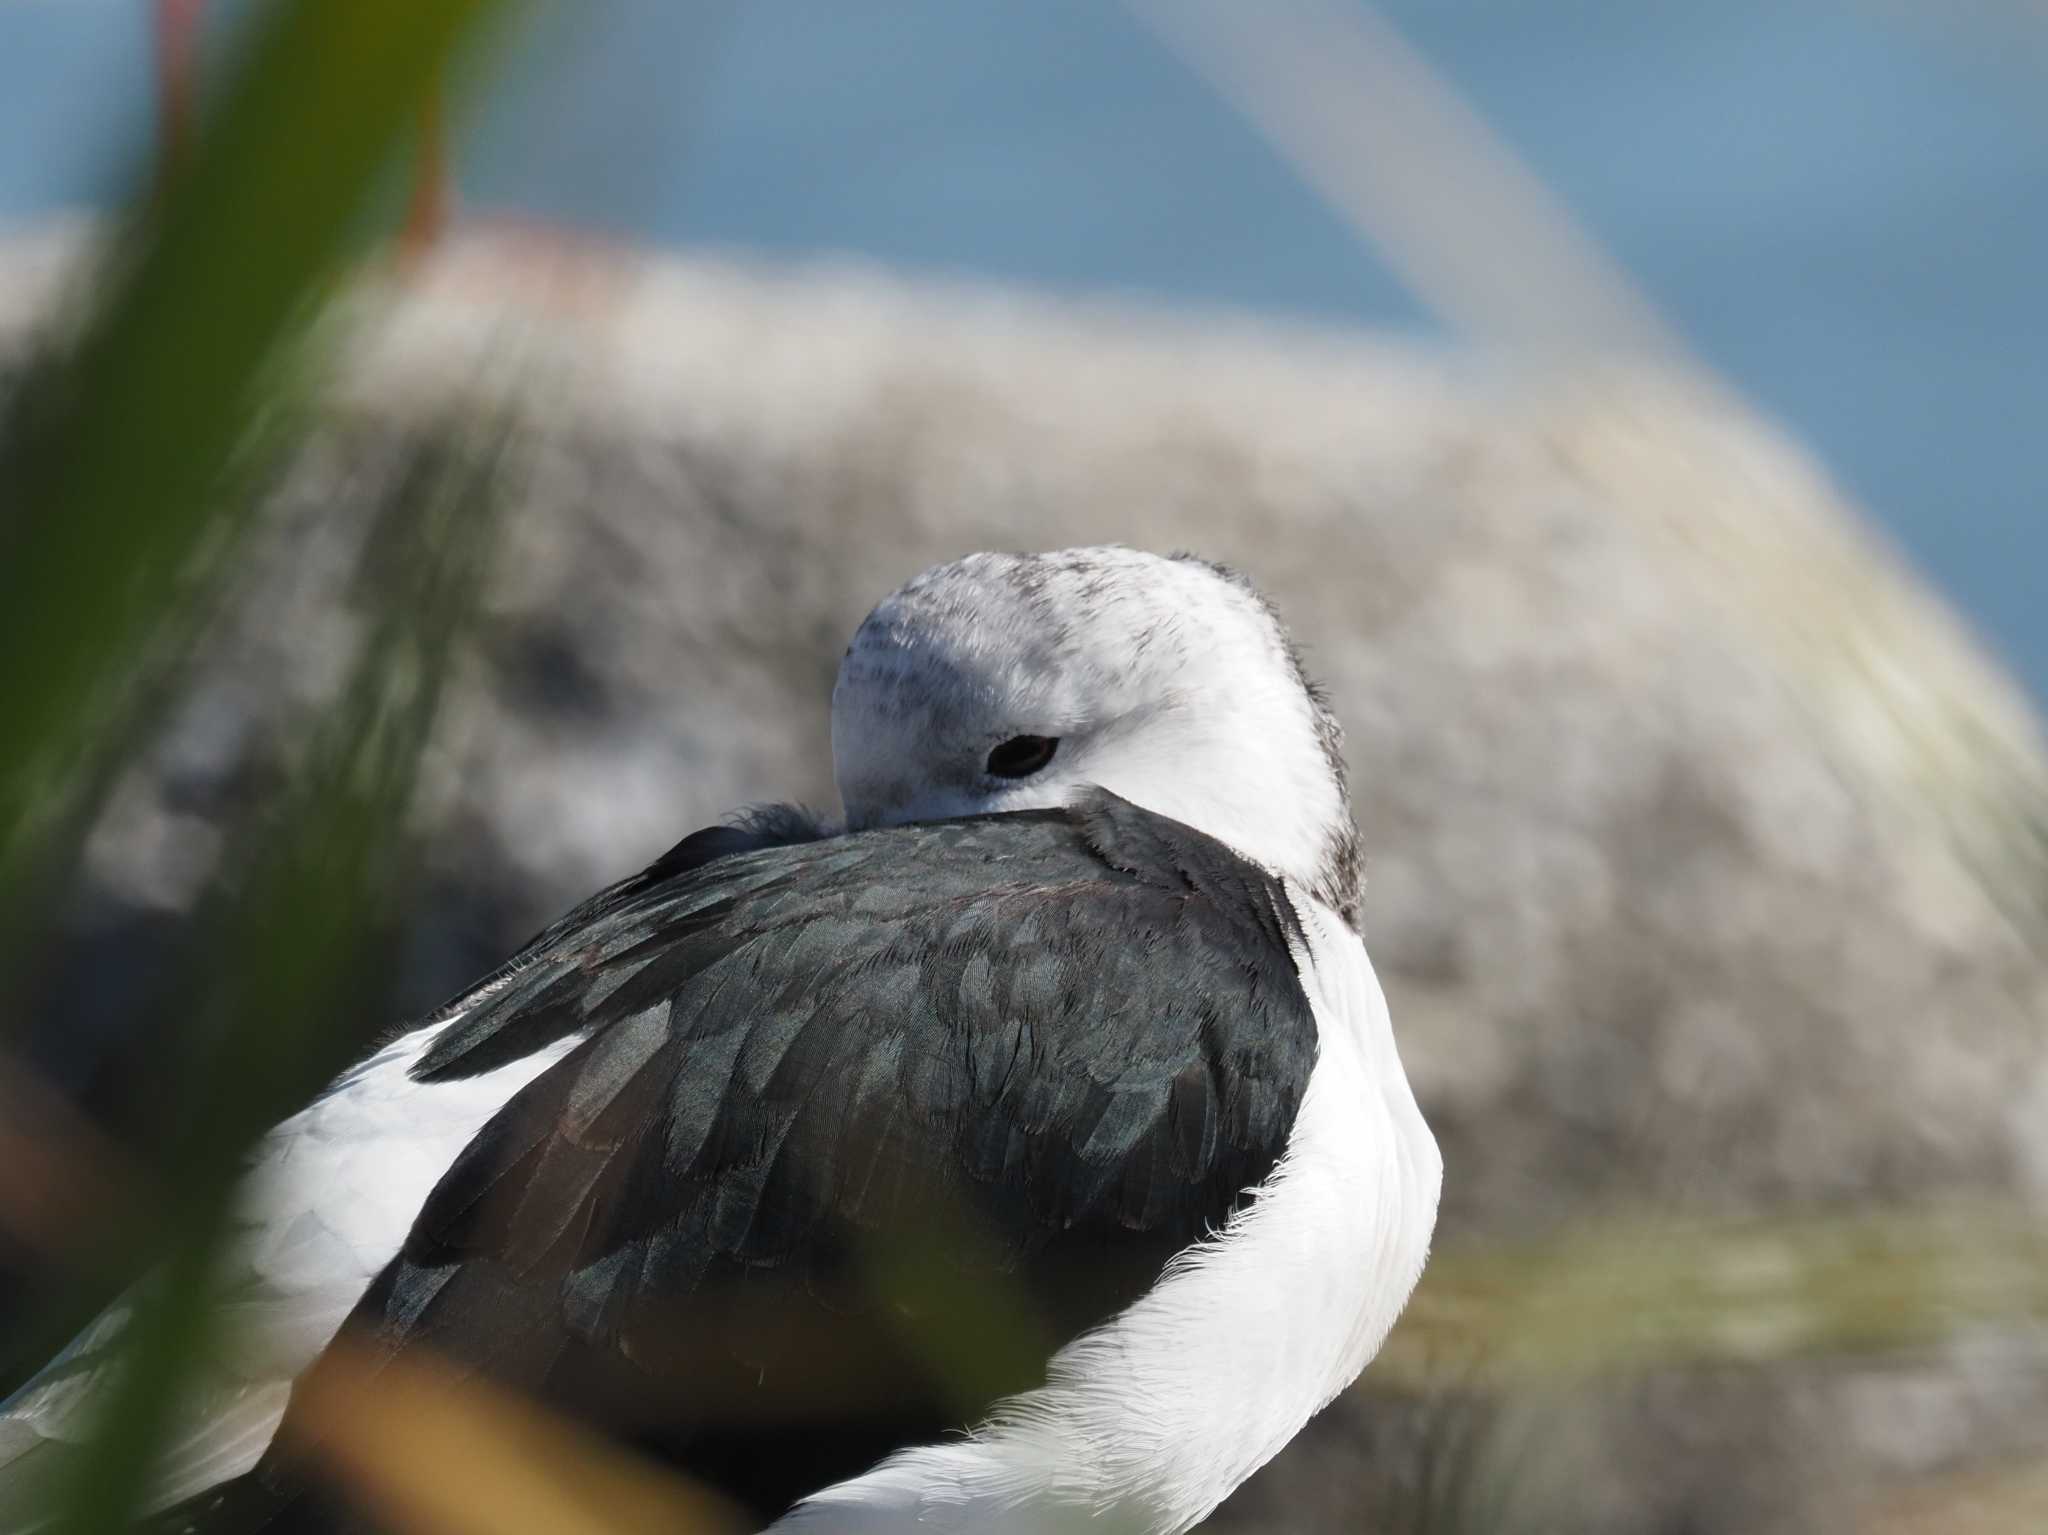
1379	134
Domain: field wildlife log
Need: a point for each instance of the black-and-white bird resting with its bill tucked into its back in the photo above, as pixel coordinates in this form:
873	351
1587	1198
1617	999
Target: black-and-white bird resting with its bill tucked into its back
1027	1151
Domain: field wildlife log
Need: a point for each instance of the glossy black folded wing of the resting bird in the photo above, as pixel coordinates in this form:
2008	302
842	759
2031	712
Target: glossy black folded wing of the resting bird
1039	1053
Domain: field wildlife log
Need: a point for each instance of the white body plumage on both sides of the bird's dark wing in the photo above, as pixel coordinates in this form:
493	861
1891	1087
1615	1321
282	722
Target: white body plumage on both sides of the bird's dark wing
1150	1421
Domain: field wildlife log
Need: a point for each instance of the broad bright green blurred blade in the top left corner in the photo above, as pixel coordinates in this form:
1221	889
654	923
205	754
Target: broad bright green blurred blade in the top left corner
110	466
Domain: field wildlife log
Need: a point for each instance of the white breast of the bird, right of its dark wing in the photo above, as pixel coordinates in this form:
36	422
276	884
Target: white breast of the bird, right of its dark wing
1154	1419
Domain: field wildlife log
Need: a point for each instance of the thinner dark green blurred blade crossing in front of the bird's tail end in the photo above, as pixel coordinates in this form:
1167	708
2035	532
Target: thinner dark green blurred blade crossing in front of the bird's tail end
271	1002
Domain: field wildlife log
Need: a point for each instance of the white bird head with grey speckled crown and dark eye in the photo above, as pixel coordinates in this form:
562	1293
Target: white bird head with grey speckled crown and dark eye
1011	683
